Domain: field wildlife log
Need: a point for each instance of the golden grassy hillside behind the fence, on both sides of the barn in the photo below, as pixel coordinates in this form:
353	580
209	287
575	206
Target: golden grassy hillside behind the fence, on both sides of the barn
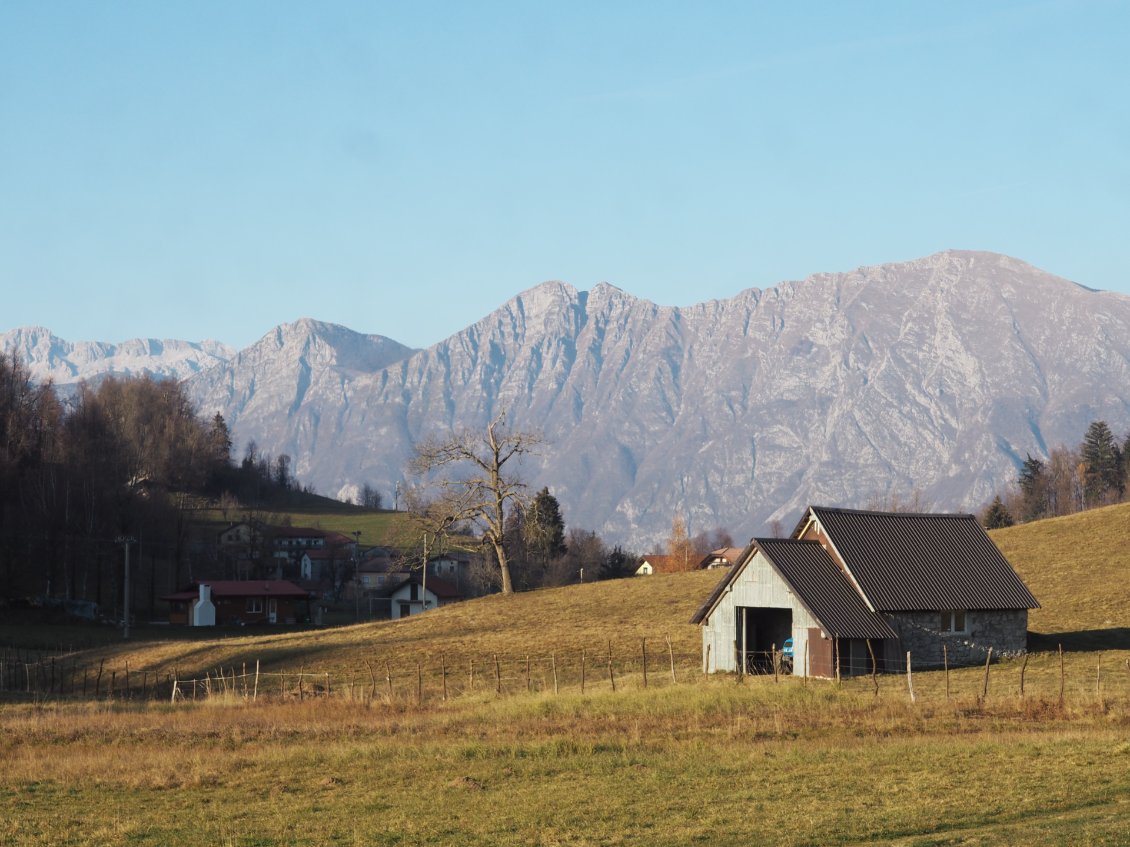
1077	567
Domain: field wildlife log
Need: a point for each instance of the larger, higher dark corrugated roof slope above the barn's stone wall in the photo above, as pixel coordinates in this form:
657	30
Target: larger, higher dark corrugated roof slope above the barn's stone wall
906	562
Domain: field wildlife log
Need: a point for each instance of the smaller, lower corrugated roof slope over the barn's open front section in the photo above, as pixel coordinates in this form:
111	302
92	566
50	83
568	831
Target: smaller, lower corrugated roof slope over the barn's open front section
824	590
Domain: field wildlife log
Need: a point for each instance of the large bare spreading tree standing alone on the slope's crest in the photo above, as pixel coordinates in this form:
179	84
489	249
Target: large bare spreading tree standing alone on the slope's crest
472	477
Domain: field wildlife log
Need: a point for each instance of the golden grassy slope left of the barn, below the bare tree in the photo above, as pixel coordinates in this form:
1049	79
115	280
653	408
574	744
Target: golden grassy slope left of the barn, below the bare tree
554	621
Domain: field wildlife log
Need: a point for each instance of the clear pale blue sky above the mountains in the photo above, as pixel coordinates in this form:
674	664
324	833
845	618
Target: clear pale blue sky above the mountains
211	170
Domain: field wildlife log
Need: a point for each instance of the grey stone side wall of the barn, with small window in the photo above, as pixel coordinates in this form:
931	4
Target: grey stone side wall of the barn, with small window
920	634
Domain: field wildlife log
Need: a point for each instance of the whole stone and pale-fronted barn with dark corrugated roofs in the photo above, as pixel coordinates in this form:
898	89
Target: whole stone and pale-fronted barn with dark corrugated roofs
854	586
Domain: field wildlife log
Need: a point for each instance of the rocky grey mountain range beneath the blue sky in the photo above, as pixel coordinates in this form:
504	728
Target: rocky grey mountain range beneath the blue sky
931	379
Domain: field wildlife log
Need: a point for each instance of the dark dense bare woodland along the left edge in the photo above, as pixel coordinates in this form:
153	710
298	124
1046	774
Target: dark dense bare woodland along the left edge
126	461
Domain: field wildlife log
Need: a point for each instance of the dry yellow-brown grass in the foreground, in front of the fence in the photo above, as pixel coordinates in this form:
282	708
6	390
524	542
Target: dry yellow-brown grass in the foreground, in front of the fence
715	763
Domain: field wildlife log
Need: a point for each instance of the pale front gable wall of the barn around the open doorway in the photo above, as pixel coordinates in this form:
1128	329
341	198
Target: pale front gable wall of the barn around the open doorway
759	586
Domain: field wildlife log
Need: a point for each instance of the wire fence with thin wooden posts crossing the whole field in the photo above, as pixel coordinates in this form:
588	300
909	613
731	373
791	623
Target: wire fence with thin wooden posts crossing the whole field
430	679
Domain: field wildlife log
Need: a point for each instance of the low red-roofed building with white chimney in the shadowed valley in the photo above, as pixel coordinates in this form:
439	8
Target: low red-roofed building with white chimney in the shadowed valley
233	602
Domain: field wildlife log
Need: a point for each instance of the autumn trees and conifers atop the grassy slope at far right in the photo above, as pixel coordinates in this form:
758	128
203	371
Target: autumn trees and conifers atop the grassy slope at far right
1072	479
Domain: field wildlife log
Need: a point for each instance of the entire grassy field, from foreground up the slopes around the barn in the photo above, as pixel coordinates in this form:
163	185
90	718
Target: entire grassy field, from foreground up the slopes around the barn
693	762
